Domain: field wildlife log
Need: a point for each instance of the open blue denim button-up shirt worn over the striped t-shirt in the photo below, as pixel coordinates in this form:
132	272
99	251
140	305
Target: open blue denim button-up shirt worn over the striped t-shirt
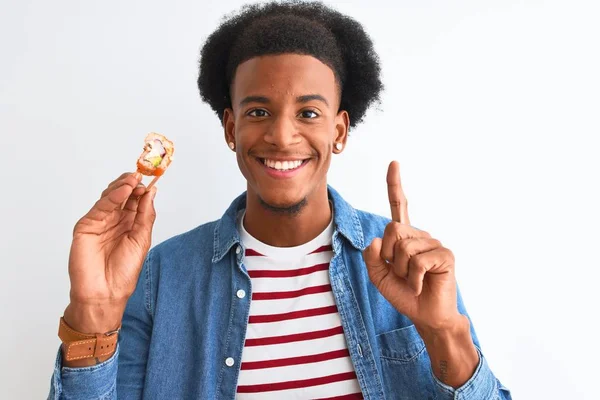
184	320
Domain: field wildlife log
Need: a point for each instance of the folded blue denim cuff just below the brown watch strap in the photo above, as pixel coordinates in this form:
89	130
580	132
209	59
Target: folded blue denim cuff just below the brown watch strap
97	381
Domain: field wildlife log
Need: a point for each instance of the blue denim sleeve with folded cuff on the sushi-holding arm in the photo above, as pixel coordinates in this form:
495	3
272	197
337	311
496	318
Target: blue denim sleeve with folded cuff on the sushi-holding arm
125	371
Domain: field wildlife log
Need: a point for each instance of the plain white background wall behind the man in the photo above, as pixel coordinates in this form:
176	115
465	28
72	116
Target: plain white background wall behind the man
491	107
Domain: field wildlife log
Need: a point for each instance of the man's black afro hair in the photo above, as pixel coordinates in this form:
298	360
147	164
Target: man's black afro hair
297	27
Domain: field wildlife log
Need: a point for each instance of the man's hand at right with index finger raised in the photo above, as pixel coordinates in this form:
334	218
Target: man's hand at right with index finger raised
412	270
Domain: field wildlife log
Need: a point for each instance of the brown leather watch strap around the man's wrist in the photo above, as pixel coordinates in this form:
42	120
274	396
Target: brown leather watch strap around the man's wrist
79	346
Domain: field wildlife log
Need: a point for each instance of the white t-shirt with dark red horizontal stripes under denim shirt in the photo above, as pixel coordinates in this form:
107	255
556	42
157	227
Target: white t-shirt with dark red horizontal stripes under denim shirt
295	346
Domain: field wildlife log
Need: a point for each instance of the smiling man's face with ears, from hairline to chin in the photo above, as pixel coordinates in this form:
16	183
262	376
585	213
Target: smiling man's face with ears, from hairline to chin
285	123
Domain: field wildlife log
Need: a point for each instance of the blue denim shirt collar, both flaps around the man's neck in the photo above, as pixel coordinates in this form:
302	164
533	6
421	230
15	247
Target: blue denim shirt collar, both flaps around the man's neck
345	219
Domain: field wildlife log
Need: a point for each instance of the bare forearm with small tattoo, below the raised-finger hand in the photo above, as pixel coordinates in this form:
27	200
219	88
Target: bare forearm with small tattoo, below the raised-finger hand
452	353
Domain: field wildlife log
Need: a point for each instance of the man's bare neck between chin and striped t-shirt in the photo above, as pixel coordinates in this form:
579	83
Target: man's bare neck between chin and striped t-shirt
281	229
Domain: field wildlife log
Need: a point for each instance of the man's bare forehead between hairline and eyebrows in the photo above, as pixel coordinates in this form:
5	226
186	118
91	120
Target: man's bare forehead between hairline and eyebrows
285	75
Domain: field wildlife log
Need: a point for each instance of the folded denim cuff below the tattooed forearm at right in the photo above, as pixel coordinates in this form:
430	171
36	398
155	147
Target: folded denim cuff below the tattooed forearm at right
482	385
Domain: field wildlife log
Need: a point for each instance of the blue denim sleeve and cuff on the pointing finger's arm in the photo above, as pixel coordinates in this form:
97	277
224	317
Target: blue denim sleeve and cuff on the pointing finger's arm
483	385
